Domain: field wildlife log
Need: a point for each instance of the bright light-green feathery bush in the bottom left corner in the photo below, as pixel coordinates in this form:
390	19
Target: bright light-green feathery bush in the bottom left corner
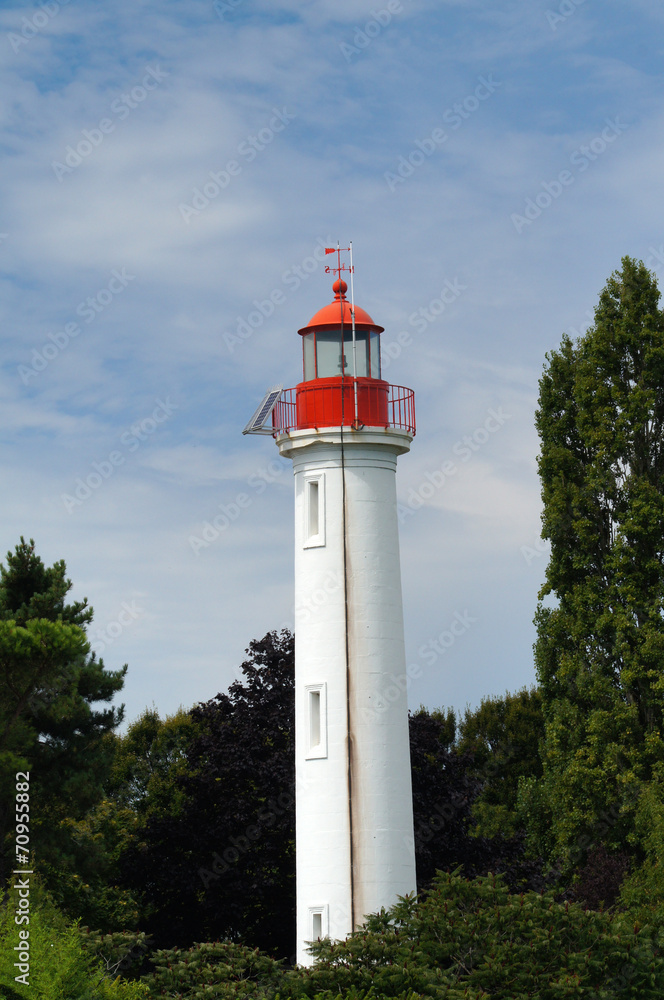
60	967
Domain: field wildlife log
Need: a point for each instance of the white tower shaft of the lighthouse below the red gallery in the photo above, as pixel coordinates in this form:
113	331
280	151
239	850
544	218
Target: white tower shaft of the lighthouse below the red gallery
382	821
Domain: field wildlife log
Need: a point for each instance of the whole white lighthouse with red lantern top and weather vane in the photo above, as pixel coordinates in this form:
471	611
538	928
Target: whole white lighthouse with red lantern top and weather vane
343	426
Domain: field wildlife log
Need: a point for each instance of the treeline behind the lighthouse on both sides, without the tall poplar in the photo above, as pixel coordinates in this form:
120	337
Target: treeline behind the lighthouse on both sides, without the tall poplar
184	827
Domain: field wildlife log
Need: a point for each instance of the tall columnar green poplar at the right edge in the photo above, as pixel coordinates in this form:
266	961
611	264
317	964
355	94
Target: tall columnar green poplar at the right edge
600	645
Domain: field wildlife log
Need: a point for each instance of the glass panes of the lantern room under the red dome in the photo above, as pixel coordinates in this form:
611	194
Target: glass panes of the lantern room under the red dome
323	356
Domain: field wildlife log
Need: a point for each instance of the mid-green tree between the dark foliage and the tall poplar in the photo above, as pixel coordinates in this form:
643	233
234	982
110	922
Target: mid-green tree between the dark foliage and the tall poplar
503	735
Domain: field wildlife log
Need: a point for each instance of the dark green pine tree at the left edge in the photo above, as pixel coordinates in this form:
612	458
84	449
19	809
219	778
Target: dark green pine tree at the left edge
50	684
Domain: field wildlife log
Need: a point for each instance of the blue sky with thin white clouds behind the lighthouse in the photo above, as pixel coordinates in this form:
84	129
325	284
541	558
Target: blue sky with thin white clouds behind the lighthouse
171	173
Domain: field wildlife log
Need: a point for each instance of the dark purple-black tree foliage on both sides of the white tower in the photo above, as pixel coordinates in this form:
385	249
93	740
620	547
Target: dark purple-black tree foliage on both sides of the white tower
222	864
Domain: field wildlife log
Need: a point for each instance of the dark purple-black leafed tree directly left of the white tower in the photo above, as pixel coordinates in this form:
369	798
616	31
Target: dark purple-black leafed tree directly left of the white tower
223	866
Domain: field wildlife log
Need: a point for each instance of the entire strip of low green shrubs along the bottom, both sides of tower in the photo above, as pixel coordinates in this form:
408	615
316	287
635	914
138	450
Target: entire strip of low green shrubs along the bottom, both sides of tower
465	940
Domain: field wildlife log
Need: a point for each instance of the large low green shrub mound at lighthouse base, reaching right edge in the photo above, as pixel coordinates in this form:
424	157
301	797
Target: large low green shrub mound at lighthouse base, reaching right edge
473	939
